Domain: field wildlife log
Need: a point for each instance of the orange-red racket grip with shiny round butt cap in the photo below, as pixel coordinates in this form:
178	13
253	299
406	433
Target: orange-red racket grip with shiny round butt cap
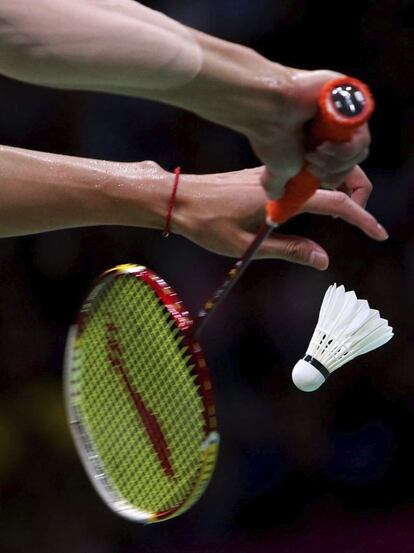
344	105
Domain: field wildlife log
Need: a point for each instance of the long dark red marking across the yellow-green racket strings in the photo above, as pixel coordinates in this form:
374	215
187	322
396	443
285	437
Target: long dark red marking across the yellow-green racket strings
148	418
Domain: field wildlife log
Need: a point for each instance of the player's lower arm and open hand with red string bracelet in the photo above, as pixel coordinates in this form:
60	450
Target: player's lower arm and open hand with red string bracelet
220	212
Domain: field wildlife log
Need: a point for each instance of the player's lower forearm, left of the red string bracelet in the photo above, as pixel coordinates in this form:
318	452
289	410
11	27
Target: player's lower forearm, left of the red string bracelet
41	192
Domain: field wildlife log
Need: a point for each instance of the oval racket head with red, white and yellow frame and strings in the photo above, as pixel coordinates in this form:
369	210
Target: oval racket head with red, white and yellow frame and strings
139	397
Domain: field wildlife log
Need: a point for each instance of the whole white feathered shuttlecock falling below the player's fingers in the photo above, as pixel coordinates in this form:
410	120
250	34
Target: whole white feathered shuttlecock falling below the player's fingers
347	327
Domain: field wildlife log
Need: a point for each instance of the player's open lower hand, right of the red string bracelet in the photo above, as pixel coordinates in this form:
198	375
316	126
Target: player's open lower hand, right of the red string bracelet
223	212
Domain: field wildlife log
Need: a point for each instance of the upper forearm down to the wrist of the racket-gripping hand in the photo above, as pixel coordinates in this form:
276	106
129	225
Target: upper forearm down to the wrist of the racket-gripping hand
120	46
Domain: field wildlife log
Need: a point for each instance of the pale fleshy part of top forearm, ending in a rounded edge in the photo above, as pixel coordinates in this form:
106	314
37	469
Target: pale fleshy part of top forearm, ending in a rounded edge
103	45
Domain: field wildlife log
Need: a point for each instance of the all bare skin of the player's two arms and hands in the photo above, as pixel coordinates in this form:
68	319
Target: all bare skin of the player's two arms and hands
74	44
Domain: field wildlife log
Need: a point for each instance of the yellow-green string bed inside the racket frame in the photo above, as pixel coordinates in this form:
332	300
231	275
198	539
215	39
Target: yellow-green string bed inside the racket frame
130	458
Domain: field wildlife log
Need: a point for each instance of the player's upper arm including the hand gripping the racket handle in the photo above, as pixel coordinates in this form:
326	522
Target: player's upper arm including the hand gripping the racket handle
120	46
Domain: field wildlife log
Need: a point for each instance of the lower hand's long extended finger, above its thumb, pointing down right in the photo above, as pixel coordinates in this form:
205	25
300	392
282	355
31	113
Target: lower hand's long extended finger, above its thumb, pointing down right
338	204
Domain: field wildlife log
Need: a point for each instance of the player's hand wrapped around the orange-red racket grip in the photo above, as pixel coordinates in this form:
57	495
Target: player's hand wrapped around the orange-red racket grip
281	145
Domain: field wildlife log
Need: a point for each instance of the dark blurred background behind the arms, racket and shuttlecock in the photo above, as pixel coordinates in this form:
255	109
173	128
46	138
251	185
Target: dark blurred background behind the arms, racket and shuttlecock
297	472
